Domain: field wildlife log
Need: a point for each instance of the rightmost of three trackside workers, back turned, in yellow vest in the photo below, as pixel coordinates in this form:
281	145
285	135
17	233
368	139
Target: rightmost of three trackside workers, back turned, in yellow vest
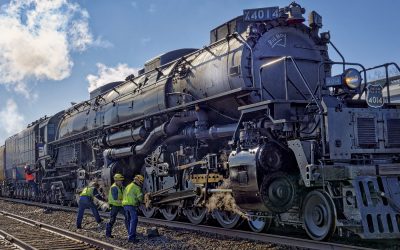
132	197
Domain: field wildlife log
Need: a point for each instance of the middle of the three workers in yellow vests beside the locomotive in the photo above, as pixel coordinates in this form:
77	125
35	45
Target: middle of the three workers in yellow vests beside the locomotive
115	202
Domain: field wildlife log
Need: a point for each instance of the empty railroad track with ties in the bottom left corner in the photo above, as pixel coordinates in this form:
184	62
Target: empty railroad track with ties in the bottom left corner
33	235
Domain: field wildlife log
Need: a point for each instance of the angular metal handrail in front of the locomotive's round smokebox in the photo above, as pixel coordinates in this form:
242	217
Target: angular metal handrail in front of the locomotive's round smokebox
285	58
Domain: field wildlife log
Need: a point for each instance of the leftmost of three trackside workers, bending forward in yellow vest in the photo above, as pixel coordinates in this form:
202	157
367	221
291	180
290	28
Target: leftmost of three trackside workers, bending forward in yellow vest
86	201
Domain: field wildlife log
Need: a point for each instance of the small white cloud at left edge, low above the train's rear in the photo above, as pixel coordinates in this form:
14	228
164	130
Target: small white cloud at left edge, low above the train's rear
11	121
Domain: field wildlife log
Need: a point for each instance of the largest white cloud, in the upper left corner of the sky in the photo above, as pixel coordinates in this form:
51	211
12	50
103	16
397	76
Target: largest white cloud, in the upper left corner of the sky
37	39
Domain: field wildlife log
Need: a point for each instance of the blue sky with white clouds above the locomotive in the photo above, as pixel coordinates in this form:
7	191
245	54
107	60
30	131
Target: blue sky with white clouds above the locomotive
116	36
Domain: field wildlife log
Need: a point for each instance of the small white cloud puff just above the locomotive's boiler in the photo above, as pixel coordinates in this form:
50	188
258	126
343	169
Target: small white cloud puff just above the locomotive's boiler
109	74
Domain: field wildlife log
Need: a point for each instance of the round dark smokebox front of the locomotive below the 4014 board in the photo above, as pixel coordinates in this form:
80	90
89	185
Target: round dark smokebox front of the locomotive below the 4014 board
293	41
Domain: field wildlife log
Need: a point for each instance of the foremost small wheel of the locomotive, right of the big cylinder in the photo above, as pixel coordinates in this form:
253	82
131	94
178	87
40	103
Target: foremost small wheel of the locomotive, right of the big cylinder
319	215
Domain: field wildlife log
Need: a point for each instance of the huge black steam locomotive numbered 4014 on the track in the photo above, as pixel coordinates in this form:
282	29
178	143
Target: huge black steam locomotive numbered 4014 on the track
257	116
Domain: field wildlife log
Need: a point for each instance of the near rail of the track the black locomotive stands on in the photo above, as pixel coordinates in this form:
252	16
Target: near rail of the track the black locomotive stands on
239	234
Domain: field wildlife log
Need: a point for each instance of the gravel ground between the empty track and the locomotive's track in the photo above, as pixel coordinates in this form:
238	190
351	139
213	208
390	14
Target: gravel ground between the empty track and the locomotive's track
170	238
